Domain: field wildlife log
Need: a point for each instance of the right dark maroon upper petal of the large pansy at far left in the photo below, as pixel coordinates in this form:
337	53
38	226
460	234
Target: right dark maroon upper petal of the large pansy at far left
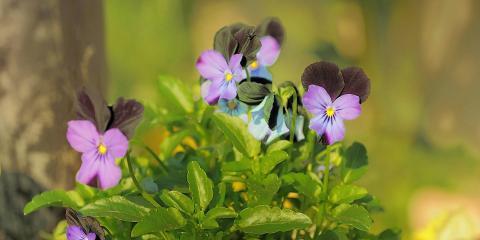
126	116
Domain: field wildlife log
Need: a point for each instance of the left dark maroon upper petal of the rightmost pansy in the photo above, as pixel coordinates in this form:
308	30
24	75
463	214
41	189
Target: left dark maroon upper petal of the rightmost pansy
326	75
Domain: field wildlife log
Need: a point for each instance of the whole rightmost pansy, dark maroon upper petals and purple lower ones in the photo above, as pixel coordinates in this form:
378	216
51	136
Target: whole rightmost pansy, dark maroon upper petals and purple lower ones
333	95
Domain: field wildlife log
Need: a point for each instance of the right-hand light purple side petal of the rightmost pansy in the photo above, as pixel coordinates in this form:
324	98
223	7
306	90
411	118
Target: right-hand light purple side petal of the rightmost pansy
348	106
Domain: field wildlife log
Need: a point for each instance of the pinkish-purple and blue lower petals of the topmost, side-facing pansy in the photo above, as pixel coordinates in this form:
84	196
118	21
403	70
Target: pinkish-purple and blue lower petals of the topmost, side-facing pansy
266	56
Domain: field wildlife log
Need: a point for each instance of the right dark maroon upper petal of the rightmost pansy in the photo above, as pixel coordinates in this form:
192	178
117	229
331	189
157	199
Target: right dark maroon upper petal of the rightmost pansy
356	82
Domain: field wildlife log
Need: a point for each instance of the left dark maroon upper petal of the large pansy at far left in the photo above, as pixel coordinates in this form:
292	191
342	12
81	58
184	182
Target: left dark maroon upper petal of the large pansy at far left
91	106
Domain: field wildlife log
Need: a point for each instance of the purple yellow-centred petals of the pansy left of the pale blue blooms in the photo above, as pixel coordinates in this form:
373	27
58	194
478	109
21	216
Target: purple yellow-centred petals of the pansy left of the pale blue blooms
221	76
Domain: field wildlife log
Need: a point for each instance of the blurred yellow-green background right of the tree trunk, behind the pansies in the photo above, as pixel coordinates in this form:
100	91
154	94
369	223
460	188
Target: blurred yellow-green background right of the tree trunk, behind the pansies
421	122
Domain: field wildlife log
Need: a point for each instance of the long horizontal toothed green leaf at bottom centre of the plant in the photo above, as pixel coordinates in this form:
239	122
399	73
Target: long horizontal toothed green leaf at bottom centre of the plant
264	219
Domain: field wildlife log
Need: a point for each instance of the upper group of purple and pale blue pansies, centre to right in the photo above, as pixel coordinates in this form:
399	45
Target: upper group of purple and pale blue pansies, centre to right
241	85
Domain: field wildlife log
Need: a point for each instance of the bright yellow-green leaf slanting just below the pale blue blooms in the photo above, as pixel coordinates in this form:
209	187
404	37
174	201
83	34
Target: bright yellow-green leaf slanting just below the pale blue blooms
236	131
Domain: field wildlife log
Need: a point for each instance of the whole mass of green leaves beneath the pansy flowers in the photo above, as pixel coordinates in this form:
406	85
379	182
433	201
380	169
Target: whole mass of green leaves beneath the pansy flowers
225	184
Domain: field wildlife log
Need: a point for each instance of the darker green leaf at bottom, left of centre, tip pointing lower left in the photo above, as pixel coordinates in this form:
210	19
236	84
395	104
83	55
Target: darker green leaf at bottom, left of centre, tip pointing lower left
159	219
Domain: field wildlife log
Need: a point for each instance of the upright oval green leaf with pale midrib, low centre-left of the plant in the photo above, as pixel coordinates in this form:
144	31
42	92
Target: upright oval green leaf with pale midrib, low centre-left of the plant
199	184
